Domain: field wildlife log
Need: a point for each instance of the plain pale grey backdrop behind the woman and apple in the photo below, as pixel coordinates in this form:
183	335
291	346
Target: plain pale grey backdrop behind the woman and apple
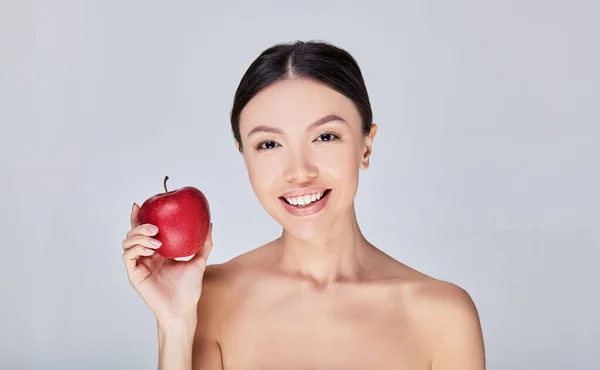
485	170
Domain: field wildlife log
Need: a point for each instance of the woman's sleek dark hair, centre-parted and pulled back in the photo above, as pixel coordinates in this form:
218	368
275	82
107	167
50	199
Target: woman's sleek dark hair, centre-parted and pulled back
316	60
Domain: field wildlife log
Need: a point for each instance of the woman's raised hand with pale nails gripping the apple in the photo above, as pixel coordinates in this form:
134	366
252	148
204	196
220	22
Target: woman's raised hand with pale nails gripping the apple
170	288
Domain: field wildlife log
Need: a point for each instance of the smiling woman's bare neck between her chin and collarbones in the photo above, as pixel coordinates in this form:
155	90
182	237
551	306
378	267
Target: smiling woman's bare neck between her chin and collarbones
333	257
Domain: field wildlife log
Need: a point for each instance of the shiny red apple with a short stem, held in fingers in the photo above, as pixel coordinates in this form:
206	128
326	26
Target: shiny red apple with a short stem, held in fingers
182	217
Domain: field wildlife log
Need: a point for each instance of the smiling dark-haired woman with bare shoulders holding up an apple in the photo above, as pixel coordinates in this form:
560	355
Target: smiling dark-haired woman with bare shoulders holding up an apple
320	296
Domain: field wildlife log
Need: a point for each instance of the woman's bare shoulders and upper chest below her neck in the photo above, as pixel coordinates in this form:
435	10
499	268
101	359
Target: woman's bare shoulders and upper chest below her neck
253	315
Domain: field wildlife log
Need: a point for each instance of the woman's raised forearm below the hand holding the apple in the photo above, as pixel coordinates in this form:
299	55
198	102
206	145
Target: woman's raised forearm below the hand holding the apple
175	341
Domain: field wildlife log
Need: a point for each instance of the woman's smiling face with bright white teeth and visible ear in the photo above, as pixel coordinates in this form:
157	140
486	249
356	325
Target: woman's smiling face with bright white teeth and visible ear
303	147
